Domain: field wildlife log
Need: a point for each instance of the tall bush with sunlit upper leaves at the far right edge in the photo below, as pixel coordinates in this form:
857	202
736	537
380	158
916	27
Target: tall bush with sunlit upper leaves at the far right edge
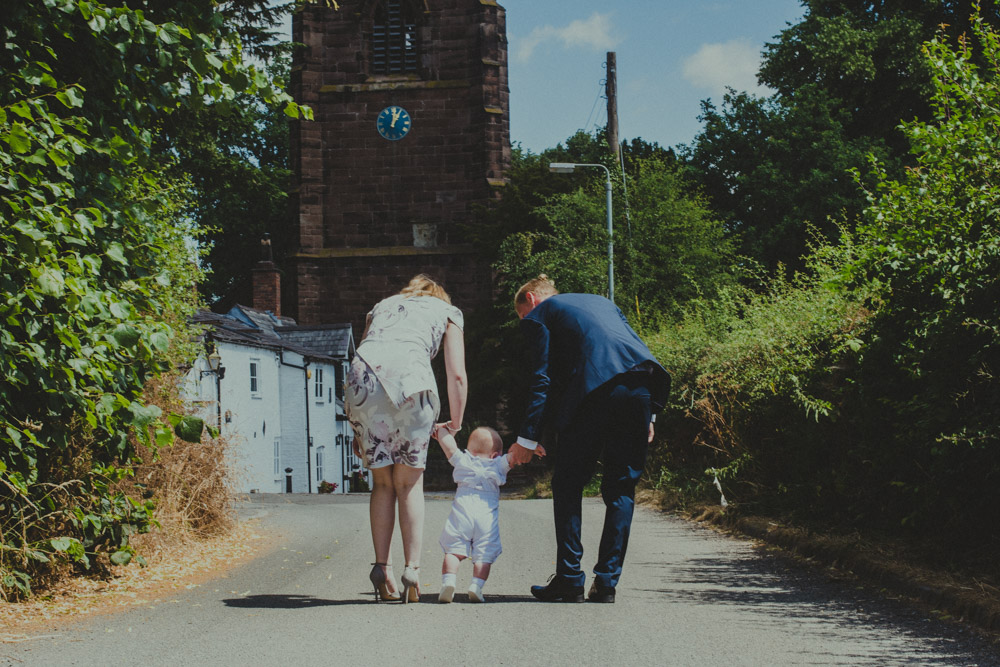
934	238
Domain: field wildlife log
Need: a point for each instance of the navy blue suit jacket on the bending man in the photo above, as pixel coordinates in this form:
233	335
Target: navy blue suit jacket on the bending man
575	343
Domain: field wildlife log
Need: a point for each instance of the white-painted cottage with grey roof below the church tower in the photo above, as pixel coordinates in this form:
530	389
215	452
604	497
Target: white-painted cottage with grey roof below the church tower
276	391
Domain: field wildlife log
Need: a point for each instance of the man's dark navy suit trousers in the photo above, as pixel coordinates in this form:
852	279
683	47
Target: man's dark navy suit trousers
611	426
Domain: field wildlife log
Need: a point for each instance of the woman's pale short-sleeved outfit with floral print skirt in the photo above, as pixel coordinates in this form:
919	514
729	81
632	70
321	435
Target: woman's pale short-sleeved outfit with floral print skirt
392	400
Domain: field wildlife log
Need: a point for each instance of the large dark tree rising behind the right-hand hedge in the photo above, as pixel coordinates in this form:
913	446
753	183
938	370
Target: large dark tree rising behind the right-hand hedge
844	77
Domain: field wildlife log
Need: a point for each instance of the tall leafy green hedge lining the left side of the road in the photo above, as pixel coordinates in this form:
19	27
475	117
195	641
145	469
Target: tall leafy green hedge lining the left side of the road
93	258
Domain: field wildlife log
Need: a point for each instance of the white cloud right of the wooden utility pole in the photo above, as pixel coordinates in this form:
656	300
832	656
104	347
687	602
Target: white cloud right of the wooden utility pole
715	66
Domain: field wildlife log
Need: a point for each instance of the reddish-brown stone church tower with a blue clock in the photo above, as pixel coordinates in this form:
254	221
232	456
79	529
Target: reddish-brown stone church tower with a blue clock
411	133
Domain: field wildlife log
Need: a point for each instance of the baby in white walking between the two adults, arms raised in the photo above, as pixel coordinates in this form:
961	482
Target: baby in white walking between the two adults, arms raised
473	527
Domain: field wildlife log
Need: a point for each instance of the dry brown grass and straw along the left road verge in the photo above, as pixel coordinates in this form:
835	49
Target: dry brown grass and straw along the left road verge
197	531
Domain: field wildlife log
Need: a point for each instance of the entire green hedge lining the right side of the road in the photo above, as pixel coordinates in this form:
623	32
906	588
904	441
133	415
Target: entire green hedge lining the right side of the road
869	392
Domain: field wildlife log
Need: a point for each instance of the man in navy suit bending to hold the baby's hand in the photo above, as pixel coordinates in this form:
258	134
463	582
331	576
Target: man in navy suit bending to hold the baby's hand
598	384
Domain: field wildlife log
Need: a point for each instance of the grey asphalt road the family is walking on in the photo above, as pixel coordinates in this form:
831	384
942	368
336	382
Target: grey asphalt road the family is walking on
688	597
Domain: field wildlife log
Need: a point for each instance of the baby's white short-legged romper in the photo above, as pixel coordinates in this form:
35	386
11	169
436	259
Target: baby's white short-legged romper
473	527
